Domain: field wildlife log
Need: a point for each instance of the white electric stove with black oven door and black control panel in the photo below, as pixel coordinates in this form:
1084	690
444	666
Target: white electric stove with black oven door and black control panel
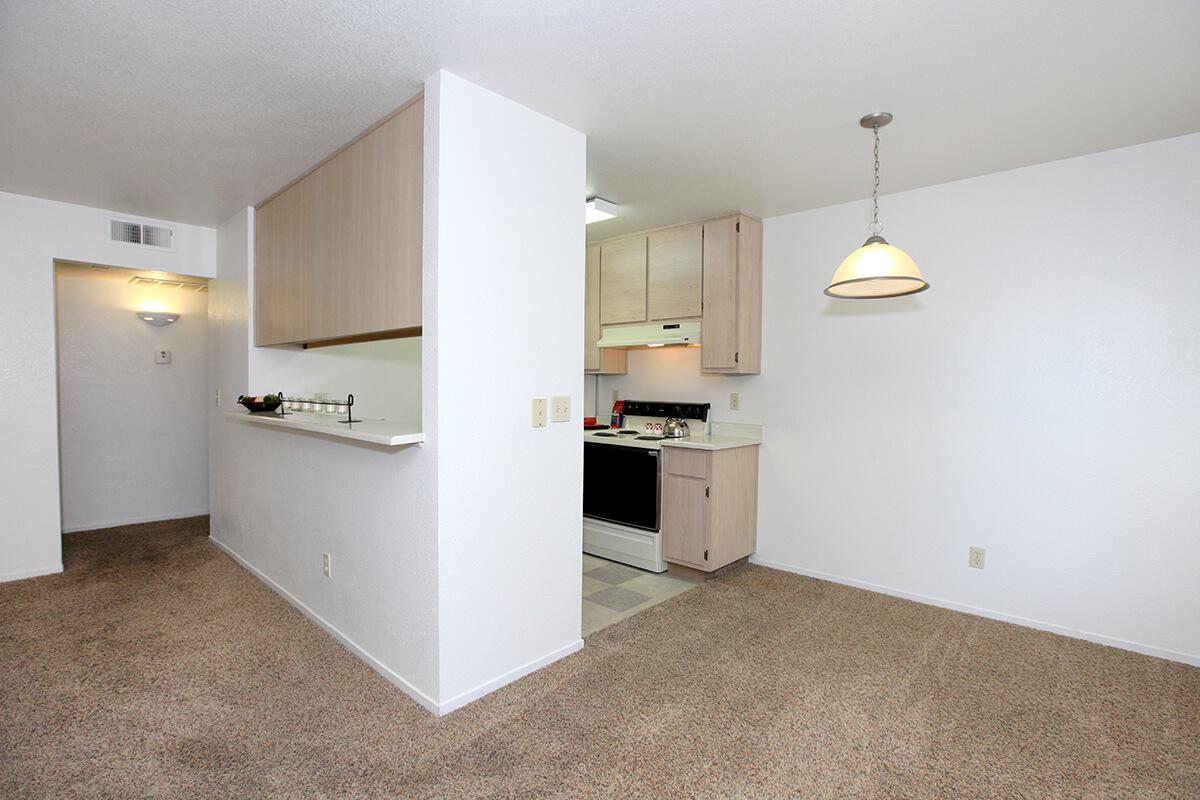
623	483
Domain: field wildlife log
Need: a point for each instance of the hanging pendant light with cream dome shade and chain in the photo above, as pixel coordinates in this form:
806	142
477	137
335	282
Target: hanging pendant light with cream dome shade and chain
877	269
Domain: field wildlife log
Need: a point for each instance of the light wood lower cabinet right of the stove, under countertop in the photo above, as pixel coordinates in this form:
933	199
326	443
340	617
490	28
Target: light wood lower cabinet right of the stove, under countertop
710	506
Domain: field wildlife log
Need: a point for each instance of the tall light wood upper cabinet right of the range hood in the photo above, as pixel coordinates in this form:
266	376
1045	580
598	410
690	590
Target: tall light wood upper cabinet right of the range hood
733	318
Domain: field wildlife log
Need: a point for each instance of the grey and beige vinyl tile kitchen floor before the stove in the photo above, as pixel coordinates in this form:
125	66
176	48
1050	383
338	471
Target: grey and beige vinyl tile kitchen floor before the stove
614	592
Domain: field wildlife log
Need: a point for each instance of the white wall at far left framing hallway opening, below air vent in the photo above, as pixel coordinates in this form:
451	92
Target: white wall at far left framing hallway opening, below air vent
33	234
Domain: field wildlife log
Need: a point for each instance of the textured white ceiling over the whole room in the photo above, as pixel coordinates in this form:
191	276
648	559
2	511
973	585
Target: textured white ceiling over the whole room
187	111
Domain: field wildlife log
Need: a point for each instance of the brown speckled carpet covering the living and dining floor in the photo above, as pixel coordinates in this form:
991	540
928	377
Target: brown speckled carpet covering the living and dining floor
155	667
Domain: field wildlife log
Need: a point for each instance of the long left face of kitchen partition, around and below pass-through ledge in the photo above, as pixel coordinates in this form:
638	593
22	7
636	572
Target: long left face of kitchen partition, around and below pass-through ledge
284	498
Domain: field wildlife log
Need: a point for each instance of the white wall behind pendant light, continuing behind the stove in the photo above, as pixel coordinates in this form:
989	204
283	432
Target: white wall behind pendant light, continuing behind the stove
1039	401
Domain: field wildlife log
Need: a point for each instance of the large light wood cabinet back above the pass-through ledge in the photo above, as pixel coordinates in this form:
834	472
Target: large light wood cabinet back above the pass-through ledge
339	252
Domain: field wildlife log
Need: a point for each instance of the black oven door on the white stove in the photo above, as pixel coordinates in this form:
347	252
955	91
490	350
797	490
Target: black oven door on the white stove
621	485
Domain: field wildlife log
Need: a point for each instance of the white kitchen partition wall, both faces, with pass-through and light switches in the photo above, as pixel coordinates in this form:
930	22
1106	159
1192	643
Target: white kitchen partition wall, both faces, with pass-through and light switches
457	566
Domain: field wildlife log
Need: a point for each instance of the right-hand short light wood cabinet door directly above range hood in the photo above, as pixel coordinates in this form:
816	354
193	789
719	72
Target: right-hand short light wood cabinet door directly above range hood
675	270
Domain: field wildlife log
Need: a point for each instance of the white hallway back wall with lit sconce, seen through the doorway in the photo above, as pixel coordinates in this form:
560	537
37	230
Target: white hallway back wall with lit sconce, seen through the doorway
134	432
